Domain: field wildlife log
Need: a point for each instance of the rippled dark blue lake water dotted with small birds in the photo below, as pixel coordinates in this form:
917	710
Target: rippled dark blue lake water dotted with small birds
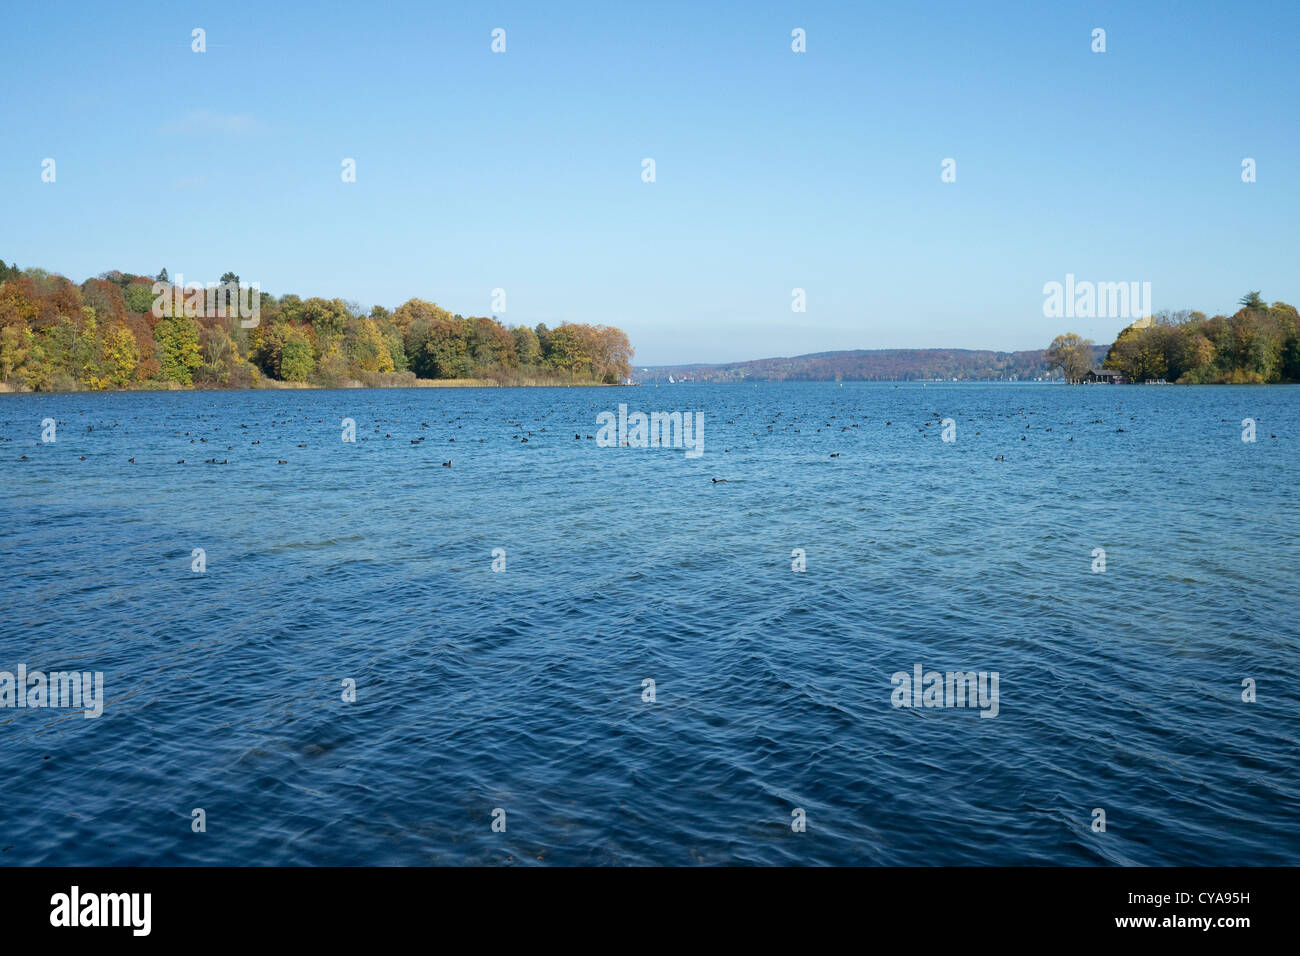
522	690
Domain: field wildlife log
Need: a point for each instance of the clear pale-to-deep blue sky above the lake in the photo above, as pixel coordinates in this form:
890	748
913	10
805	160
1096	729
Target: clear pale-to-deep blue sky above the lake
523	171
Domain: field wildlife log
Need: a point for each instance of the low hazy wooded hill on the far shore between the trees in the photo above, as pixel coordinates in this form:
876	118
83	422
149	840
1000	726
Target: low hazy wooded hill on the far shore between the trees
874	365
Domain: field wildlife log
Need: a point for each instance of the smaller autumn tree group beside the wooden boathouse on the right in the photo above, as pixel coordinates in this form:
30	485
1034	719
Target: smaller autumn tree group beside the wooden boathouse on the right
1256	345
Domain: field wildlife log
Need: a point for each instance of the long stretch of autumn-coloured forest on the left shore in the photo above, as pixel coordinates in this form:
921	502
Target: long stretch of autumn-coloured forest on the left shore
107	334
